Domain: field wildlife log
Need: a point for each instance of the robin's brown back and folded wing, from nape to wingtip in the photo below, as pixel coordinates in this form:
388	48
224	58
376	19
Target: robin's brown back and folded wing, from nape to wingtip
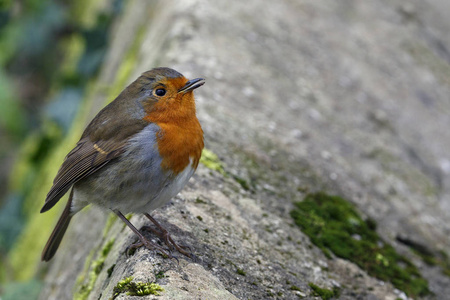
103	140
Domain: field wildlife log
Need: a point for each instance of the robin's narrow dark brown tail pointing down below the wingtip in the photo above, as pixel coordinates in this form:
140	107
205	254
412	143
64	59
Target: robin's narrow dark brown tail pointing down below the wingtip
58	233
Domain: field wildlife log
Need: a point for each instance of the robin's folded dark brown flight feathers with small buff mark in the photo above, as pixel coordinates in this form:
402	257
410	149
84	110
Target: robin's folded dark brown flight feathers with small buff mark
86	158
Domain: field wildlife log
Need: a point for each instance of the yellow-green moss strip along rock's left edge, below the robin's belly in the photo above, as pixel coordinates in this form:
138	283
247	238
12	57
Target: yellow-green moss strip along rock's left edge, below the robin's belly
96	267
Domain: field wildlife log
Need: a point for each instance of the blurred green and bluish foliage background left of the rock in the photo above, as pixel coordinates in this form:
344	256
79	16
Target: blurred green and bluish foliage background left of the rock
50	51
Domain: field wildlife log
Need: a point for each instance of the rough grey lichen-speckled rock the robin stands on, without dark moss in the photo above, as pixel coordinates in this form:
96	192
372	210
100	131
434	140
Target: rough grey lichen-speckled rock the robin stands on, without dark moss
347	97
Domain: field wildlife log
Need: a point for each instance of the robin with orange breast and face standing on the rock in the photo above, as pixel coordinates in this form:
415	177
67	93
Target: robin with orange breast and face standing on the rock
134	156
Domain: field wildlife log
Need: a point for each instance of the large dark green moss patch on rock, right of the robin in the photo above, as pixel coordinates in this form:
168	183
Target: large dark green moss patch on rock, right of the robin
333	224
